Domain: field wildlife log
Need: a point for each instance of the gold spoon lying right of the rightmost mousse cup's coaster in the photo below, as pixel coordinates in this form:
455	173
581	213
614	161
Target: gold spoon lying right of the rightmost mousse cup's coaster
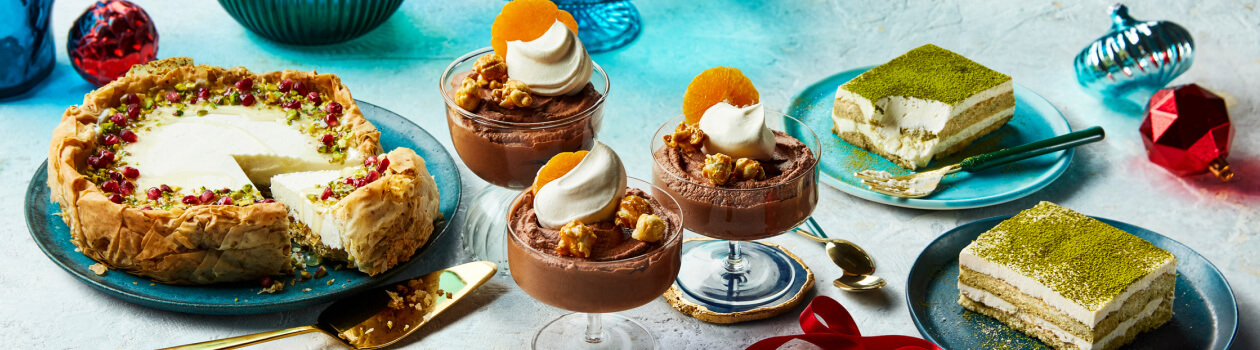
856	264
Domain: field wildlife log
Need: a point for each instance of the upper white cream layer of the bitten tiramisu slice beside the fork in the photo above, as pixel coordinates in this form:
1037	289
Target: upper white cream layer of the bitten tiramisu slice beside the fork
917	114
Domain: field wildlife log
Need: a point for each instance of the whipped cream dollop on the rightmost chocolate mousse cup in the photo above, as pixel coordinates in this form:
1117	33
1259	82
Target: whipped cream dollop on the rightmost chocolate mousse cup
738	132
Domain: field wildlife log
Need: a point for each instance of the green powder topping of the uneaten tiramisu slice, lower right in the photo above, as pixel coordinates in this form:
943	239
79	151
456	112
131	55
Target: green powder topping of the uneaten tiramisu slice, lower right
1084	260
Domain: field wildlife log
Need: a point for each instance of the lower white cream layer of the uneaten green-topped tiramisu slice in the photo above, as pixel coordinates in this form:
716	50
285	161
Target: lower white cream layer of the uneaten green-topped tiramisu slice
1000	304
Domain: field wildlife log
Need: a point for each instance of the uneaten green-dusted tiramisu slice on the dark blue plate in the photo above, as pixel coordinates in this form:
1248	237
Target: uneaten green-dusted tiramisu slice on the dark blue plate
1068	279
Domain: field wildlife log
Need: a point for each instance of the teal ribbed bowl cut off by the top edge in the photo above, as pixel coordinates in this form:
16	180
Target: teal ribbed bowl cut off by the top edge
311	22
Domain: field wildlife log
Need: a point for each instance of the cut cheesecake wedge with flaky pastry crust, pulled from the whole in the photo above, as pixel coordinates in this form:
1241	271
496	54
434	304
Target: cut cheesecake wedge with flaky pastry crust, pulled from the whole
372	216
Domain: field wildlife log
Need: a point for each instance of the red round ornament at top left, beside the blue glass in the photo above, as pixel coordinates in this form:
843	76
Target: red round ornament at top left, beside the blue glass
109	38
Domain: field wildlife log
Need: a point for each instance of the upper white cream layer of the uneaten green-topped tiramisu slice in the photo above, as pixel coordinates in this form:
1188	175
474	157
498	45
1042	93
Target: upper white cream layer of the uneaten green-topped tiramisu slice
1031	288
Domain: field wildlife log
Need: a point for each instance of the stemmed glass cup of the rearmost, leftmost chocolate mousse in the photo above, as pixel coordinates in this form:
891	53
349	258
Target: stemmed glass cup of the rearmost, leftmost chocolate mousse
508	154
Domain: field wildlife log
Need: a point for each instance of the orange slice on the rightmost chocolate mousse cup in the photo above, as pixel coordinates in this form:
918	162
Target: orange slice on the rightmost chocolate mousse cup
718	85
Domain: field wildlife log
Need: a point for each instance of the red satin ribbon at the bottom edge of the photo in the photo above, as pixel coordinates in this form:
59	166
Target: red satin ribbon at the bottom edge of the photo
840	332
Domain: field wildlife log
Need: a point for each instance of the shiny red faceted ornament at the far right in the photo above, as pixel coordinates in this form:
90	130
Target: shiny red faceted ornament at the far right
1188	130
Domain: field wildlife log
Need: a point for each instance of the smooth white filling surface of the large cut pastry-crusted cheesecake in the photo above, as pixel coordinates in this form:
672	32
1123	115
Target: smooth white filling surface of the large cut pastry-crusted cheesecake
227	148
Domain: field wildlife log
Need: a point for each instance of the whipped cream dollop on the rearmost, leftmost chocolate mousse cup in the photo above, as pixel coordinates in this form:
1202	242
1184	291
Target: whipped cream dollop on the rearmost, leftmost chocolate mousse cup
554	65
